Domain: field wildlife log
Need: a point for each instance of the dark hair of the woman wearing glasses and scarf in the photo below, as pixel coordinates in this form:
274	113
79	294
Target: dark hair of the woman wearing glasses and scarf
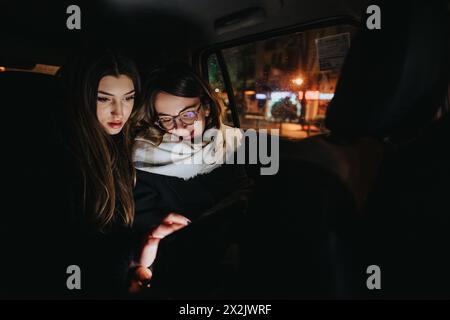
179	80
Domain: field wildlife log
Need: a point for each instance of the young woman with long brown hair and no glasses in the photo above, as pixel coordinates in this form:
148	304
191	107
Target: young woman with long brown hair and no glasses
101	95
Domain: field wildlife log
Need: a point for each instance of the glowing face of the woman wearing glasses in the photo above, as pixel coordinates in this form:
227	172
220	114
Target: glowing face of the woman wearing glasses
186	111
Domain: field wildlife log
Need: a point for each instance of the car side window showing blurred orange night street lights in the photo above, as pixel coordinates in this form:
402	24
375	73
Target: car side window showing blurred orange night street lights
284	82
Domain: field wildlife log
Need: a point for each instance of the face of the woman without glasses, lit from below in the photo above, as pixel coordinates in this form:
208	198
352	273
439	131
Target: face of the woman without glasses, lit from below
115	99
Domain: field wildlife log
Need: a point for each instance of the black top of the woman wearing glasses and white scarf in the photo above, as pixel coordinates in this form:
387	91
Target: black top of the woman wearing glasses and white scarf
157	195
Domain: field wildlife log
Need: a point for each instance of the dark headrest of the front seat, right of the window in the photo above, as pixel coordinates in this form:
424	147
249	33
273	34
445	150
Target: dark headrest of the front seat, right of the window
394	78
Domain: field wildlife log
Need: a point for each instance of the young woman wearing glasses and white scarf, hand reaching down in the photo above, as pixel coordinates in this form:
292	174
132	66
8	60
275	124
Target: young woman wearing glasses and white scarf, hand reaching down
181	153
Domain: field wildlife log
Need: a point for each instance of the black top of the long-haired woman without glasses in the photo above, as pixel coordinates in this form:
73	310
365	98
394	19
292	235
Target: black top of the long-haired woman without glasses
103	257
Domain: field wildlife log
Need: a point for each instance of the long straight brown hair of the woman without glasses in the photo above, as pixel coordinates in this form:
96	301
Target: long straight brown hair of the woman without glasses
105	161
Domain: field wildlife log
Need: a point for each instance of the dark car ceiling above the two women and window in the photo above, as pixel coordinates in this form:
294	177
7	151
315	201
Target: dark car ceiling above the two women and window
36	30
